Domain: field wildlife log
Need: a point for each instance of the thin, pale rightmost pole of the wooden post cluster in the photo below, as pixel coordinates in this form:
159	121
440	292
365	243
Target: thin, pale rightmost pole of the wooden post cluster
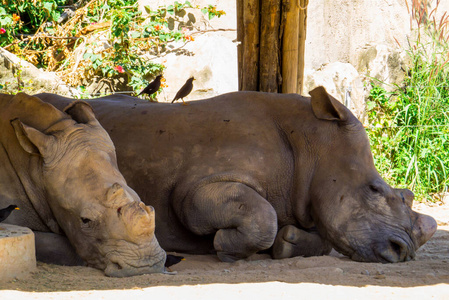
302	44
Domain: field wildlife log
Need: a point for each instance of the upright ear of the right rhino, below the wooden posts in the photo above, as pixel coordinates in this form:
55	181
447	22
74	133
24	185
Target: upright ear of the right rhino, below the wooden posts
326	107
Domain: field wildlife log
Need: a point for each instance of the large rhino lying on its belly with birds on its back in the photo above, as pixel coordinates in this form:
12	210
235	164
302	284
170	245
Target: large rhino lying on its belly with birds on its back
247	171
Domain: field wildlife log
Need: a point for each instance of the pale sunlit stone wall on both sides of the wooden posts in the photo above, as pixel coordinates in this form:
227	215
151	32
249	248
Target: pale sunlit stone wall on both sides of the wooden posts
361	33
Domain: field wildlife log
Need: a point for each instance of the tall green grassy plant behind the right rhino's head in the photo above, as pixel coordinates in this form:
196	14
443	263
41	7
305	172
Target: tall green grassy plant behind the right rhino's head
409	127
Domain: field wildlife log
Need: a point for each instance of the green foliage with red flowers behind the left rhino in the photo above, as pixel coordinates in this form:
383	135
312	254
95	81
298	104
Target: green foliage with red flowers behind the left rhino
129	35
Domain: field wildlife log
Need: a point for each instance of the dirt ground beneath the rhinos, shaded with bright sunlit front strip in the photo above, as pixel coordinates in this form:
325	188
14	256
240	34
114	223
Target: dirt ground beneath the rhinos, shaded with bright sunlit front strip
205	277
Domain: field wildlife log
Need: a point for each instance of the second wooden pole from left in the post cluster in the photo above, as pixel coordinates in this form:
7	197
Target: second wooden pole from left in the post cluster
269	64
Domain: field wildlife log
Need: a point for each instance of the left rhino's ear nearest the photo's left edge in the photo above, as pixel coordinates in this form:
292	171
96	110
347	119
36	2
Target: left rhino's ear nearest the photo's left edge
32	140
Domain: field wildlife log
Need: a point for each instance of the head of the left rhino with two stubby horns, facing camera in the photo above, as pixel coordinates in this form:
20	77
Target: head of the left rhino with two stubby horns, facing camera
74	161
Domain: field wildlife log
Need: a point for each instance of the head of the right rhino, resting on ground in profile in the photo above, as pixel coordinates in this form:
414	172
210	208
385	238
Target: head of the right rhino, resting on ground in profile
352	206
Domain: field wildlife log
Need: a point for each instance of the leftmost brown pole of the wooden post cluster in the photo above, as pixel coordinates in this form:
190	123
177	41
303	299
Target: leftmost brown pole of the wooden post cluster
249	12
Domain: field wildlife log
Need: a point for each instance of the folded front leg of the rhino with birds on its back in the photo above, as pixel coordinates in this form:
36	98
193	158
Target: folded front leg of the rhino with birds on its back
242	220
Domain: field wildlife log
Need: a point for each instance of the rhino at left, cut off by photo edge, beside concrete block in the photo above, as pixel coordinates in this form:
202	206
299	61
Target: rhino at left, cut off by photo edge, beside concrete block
60	168
